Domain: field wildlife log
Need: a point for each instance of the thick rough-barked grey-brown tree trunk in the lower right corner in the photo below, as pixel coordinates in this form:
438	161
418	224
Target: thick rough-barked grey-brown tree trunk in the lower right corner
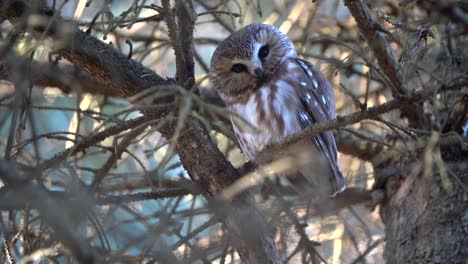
425	215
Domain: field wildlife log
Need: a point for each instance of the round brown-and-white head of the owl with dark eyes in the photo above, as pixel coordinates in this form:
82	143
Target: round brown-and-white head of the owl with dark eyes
248	59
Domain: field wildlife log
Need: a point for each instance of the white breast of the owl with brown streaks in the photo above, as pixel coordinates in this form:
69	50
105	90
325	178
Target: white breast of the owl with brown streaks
267	117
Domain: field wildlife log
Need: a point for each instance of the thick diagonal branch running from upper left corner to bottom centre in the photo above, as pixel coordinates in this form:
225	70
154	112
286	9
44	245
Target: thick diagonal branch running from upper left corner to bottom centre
200	156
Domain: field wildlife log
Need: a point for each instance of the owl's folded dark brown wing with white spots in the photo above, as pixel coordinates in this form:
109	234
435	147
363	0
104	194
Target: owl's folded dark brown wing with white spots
318	105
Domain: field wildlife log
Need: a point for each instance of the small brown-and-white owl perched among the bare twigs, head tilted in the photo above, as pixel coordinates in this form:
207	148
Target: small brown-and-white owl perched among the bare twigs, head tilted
272	94
